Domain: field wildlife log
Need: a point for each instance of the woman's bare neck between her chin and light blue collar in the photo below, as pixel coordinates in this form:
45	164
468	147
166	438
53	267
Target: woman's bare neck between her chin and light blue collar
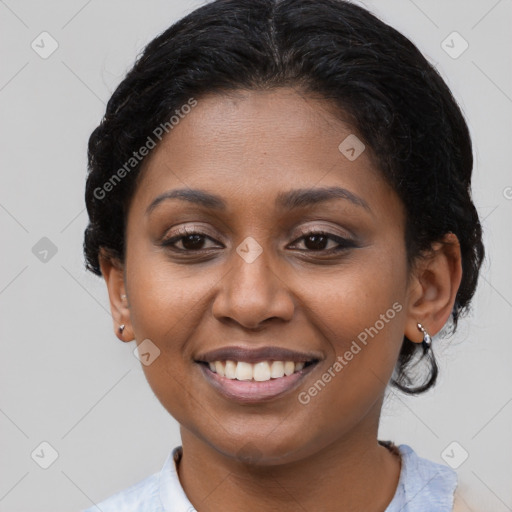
350	475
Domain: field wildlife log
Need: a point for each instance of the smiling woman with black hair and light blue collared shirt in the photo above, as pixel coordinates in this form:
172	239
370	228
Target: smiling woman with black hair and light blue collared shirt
279	203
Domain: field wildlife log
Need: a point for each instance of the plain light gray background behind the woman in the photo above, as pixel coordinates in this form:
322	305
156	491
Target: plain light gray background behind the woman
65	378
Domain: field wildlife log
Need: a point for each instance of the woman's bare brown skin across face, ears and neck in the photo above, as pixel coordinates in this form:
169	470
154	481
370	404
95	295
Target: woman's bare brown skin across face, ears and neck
247	147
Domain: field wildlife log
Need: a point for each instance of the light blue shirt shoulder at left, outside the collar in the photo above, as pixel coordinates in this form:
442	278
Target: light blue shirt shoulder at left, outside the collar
140	497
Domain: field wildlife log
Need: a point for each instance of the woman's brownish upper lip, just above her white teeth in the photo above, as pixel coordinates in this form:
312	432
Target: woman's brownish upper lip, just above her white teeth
255	355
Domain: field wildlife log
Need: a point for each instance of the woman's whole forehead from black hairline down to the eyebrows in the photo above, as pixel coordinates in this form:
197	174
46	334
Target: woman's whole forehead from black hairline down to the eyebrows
250	146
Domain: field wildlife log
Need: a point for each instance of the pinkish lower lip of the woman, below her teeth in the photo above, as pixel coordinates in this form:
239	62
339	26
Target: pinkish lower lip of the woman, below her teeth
250	391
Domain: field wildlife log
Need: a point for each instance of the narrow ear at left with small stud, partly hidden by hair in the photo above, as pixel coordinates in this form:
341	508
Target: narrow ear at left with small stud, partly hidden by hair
113	273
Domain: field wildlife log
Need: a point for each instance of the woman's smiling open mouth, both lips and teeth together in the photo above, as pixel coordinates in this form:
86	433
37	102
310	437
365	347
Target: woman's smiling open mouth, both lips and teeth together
253	375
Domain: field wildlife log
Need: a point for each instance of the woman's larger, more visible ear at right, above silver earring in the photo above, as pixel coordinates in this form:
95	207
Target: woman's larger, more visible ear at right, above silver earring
433	287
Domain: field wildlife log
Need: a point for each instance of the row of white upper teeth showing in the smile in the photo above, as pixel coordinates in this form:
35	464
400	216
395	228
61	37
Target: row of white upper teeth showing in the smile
259	372
